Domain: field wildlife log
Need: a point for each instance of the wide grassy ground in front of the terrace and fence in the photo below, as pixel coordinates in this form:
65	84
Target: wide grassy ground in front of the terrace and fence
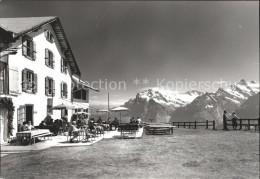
186	154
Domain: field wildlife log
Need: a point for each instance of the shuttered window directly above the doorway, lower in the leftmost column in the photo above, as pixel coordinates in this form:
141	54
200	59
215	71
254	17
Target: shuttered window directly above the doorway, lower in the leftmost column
29	81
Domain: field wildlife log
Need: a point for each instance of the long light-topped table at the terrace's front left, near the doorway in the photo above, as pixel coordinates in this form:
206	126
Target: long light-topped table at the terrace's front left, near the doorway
33	134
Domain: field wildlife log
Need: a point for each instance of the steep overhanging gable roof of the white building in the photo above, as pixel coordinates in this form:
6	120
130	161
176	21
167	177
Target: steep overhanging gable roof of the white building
23	25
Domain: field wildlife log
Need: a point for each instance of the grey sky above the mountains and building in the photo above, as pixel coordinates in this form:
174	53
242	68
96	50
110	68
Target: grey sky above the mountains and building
125	47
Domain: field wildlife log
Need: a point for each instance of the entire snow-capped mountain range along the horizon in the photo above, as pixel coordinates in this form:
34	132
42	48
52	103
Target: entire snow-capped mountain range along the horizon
163	105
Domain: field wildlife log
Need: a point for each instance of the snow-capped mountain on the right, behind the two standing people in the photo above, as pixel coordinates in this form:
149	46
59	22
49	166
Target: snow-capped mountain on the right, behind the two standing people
210	106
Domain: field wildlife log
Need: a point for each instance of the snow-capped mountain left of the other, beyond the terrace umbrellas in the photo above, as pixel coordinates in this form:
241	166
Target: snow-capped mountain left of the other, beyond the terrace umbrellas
158	103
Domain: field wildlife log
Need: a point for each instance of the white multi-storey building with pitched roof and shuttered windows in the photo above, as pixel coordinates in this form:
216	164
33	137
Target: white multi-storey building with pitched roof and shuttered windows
37	71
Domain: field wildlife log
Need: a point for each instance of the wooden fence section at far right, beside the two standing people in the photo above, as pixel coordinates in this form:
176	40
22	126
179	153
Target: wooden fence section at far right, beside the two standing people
247	123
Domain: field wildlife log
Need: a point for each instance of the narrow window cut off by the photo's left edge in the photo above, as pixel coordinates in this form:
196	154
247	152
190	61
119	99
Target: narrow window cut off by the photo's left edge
3	75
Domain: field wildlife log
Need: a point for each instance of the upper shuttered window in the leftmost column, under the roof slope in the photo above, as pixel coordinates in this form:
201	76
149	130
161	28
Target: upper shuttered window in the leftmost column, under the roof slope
29	48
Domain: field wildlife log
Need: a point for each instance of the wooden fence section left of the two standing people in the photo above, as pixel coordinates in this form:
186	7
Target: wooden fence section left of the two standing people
195	124
